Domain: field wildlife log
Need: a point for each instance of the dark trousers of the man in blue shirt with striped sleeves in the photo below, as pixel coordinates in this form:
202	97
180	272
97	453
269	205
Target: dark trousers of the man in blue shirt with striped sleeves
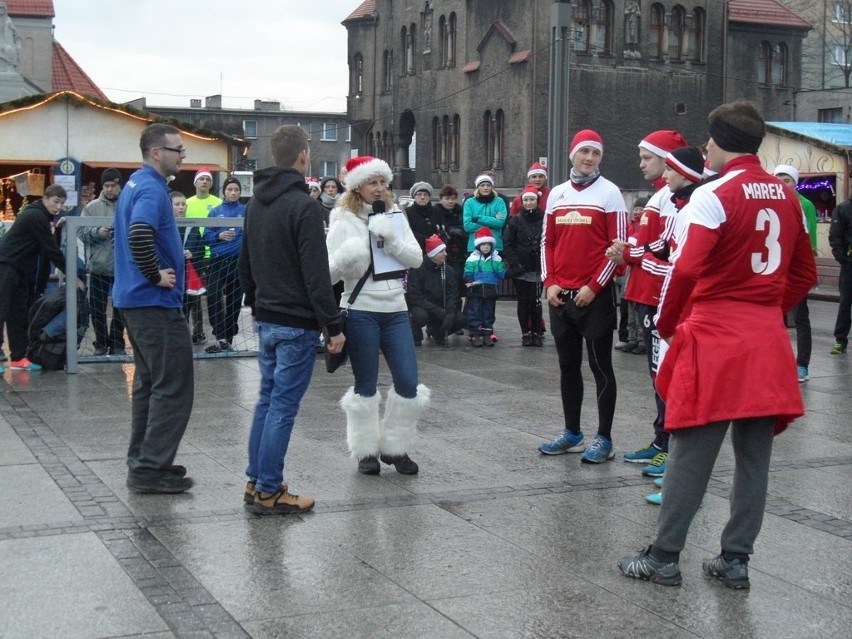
162	388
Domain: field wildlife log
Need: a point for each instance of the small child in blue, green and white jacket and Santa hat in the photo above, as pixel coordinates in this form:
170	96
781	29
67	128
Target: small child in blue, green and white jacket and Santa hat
483	271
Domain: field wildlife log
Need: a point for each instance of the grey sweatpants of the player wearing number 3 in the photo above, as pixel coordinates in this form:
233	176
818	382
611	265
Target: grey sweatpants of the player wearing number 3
692	455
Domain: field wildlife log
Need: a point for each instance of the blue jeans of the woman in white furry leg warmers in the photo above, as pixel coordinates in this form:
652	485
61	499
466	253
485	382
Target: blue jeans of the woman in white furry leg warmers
367	334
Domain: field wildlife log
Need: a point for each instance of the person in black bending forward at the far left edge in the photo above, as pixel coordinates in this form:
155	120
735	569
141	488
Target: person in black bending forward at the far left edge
29	239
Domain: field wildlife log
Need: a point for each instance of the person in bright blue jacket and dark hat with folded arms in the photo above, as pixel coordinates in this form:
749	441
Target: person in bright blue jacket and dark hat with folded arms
224	293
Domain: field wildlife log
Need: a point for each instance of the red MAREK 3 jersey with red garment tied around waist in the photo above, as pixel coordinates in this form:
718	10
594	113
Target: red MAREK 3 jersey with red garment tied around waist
743	261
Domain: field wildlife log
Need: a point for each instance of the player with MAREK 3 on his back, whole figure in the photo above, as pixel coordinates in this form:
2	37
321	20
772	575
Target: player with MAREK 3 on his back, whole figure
743	262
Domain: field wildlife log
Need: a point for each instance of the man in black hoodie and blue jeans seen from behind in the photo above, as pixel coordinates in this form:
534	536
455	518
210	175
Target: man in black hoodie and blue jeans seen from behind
284	274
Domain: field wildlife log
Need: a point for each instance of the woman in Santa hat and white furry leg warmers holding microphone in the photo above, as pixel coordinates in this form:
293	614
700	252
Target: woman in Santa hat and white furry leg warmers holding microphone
378	322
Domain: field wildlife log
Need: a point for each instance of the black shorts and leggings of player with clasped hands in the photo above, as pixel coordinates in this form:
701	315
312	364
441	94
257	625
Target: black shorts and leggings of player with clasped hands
571	326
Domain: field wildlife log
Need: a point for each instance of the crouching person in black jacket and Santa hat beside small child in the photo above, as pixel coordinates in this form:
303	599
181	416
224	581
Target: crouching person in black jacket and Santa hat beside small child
433	295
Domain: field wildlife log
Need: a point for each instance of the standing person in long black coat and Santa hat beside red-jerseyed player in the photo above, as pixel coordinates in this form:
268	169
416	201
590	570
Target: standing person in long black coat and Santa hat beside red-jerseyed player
522	251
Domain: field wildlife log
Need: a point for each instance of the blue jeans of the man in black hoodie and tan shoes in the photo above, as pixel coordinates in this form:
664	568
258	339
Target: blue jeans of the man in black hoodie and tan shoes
286	357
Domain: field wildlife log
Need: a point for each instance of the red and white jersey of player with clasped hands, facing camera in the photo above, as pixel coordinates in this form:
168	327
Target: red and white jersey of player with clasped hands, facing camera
580	223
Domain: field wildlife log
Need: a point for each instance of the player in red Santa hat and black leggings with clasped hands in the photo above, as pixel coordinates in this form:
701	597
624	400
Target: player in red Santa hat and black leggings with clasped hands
582	218
